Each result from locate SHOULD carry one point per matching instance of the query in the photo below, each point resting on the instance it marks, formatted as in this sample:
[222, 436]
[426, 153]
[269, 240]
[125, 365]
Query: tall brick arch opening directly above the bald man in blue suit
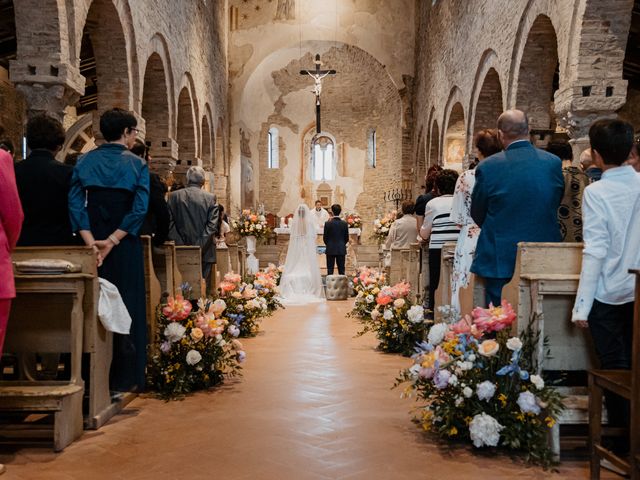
[538, 75]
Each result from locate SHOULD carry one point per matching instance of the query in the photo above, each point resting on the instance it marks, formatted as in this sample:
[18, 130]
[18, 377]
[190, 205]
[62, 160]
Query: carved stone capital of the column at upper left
[47, 86]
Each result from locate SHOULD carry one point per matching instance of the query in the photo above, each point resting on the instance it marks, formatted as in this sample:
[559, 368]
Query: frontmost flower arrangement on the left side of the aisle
[195, 349]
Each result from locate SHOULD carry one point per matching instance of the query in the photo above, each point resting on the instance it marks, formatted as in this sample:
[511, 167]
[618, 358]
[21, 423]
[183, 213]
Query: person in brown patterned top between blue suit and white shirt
[575, 181]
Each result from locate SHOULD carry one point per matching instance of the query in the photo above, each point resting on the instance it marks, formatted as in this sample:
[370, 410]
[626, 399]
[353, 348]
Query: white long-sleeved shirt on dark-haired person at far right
[611, 232]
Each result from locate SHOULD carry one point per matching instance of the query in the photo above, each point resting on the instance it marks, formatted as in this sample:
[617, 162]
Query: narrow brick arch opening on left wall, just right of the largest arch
[156, 111]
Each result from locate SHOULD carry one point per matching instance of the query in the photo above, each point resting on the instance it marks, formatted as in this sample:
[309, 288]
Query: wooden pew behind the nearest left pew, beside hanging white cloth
[97, 342]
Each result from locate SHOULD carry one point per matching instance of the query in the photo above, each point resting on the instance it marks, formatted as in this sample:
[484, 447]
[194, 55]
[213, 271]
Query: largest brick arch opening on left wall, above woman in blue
[109, 43]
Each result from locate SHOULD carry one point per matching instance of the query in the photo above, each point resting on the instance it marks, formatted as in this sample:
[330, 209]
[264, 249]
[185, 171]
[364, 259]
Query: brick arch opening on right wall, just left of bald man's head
[487, 102]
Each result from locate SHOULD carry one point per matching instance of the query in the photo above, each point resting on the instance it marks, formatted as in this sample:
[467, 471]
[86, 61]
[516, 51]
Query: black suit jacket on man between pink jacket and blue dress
[43, 184]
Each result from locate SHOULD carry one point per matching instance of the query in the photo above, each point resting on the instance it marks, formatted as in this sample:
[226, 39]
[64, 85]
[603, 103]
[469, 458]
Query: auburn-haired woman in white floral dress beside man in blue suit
[487, 144]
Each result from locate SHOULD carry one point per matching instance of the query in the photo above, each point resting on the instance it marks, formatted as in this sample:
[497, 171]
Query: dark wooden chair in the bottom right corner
[625, 383]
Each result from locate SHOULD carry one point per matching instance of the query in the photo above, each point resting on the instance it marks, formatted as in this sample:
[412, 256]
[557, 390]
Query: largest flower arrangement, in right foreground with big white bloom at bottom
[478, 385]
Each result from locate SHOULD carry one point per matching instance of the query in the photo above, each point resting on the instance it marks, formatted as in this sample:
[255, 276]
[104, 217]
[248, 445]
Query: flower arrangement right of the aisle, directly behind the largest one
[398, 324]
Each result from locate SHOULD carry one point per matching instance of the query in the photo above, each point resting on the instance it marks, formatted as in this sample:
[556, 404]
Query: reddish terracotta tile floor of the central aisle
[314, 403]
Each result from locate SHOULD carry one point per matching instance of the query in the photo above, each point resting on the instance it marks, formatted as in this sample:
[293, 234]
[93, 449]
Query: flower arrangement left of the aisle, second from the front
[245, 307]
